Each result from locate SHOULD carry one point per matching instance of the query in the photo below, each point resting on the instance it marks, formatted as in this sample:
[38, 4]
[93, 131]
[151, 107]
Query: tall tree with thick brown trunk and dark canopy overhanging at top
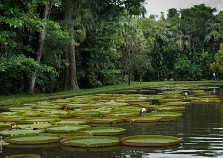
[73, 10]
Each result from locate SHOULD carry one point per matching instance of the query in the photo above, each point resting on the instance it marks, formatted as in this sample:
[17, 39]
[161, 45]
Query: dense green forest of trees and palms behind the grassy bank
[53, 45]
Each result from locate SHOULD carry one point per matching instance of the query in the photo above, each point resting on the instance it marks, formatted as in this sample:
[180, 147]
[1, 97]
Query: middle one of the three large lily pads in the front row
[89, 141]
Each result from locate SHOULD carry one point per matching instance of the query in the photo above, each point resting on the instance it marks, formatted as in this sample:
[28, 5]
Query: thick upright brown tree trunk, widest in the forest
[70, 78]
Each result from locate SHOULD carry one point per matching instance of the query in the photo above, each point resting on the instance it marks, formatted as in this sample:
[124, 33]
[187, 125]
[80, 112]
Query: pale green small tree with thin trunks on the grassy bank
[135, 49]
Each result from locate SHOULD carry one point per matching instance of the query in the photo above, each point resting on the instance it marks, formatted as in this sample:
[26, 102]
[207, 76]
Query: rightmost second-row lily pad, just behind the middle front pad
[99, 131]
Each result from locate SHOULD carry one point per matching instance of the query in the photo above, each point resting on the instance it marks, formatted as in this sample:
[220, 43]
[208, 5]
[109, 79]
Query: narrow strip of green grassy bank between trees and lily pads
[21, 99]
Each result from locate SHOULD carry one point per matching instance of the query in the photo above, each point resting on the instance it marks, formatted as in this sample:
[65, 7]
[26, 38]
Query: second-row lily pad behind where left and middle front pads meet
[65, 128]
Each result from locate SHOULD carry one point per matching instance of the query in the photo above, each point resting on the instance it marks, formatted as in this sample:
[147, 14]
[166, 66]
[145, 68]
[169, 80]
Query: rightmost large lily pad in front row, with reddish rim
[150, 140]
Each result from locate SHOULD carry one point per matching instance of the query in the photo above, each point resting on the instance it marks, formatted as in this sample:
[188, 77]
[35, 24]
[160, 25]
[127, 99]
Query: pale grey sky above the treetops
[157, 6]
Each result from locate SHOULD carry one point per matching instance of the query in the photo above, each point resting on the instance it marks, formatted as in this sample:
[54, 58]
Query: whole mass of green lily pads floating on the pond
[86, 121]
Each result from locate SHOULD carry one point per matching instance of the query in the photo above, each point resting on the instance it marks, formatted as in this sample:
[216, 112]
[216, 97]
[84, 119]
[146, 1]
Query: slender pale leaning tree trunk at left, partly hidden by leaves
[40, 47]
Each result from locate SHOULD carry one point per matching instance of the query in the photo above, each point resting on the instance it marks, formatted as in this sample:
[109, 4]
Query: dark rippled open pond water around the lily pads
[200, 129]
